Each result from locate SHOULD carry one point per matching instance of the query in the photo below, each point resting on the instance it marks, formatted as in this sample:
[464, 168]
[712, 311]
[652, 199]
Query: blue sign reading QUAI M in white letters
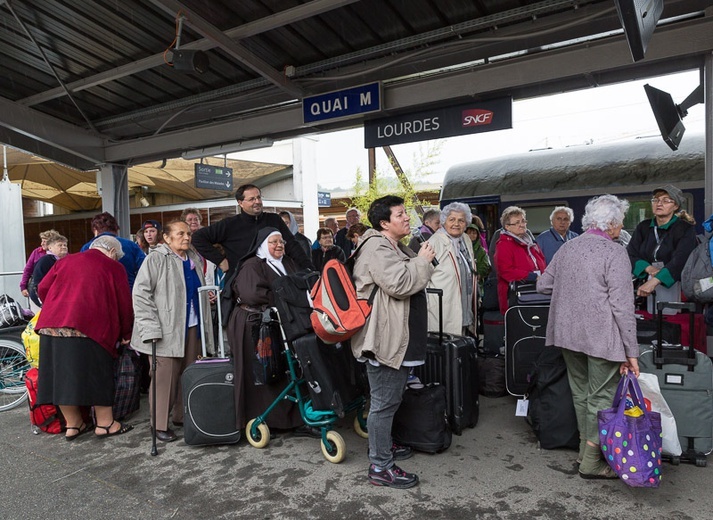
[342, 103]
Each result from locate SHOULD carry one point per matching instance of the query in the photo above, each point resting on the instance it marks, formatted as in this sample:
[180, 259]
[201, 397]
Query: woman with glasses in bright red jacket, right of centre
[517, 255]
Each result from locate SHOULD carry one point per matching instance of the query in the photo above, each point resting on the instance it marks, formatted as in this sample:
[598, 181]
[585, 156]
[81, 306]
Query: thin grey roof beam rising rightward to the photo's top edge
[268, 23]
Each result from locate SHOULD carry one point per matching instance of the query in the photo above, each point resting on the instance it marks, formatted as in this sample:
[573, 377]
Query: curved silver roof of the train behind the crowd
[640, 161]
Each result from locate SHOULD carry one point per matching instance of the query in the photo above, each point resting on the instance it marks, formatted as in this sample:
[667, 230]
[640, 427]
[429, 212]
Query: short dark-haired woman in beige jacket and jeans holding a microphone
[394, 336]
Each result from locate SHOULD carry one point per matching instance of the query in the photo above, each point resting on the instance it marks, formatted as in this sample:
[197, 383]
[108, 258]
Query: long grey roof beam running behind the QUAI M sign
[528, 76]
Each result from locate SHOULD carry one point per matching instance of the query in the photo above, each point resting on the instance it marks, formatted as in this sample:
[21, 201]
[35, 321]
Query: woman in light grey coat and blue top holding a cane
[166, 309]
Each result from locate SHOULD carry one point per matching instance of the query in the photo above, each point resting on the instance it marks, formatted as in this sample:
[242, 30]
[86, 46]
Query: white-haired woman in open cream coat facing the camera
[455, 273]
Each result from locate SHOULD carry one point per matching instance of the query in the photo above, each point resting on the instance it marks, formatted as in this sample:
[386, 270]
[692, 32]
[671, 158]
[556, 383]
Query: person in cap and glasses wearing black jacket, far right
[660, 246]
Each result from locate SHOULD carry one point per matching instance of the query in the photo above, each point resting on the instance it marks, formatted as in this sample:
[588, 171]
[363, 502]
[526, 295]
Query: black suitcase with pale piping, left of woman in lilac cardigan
[525, 328]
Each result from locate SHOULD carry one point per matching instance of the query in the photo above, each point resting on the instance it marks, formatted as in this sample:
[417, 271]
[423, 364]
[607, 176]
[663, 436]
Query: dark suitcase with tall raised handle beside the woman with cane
[209, 395]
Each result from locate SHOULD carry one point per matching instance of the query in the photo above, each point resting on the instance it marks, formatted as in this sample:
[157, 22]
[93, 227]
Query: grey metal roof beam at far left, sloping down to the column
[25, 121]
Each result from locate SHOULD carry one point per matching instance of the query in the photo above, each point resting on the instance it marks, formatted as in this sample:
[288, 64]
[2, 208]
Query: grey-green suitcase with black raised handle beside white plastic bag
[686, 380]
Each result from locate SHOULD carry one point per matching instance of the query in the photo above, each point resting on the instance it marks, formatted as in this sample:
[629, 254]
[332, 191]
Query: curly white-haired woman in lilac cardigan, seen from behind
[592, 319]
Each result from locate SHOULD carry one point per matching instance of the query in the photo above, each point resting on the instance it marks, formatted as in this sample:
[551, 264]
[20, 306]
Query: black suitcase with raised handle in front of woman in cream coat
[452, 361]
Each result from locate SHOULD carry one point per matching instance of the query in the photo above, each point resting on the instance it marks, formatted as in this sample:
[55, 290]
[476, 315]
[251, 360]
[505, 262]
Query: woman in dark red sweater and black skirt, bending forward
[87, 310]
